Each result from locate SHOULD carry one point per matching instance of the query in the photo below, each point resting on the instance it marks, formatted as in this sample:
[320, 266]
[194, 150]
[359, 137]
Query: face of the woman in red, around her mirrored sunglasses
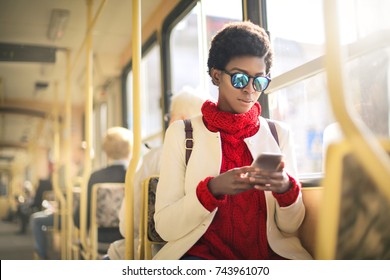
[238, 101]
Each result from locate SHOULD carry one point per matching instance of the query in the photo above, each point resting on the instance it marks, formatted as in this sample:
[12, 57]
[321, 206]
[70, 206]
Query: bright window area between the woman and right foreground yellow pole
[303, 104]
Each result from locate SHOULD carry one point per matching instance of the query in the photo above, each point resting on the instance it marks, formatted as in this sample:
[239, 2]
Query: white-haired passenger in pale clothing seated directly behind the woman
[185, 104]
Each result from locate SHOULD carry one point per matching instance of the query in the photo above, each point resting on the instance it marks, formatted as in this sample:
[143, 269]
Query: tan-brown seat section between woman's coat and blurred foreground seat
[307, 233]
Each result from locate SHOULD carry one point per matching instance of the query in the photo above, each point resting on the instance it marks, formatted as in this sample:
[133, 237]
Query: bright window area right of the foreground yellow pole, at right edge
[367, 28]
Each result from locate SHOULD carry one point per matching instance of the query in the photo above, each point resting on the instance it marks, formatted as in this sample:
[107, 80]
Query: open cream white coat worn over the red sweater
[181, 219]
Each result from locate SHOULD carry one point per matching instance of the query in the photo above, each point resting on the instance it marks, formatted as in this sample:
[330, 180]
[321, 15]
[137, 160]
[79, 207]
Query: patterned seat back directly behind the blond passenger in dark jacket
[106, 201]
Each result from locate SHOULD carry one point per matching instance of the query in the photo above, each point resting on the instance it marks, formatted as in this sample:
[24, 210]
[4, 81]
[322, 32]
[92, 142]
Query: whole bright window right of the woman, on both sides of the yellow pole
[300, 95]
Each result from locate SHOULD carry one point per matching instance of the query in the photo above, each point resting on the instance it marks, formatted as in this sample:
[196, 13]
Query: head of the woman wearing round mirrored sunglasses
[239, 62]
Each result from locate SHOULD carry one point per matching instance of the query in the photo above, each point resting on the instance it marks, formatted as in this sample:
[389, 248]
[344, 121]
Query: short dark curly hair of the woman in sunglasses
[239, 39]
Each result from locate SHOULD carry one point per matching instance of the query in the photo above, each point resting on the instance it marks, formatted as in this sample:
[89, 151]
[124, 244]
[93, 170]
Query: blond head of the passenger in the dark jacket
[118, 143]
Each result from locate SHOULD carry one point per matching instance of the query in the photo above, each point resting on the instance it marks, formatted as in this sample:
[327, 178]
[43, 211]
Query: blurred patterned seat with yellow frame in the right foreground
[354, 222]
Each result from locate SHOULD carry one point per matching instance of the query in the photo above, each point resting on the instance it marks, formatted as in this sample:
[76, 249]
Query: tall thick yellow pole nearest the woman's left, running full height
[129, 181]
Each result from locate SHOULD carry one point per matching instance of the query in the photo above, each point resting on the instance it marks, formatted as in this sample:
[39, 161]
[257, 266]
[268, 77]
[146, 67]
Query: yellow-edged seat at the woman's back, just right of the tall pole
[150, 240]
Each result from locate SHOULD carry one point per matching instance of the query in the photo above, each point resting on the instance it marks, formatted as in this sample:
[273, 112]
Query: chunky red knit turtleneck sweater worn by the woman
[238, 230]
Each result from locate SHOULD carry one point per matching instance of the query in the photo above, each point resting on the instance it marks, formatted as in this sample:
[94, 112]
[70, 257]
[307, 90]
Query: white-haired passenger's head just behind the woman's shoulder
[186, 104]
